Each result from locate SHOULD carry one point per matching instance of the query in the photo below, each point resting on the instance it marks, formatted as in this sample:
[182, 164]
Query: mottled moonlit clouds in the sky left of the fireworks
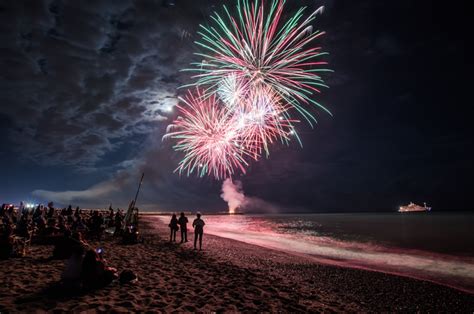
[78, 76]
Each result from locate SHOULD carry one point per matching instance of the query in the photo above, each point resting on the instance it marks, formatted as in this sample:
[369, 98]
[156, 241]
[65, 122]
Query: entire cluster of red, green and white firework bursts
[256, 71]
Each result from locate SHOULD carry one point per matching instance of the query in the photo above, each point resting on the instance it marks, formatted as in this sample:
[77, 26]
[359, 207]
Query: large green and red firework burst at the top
[258, 47]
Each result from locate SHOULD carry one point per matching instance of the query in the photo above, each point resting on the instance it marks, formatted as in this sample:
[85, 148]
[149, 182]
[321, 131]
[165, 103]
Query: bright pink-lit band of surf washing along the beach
[453, 271]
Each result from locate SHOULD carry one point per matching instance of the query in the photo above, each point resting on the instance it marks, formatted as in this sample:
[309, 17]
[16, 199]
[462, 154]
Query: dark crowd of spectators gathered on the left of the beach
[68, 230]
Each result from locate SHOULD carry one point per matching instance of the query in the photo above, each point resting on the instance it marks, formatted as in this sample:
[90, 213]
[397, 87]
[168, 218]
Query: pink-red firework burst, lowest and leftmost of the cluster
[206, 133]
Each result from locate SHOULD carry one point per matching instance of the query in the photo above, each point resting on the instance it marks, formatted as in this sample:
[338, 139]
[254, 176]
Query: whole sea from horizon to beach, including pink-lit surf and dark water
[433, 246]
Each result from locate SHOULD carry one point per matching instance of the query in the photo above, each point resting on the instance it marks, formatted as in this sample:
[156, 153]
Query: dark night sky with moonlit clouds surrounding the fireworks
[86, 89]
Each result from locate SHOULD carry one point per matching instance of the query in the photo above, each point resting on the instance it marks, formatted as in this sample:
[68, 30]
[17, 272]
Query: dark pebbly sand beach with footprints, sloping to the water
[227, 276]
